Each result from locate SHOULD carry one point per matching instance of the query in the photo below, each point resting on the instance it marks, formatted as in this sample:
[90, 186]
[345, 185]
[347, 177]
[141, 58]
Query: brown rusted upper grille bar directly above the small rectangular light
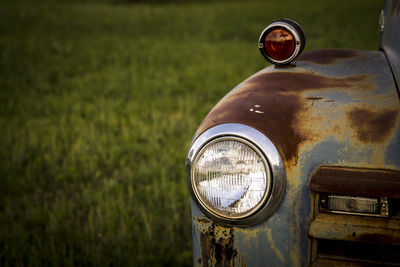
[356, 182]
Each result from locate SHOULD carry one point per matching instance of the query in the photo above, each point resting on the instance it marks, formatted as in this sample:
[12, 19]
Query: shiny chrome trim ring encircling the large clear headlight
[267, 150]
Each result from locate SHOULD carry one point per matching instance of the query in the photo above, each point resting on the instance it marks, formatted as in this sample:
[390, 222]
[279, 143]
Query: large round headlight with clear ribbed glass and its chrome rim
[235, 174]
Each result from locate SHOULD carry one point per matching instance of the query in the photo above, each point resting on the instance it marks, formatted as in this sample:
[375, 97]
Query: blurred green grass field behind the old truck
[98, 103]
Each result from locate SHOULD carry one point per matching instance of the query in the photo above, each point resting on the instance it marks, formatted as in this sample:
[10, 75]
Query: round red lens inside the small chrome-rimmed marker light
[279, 44]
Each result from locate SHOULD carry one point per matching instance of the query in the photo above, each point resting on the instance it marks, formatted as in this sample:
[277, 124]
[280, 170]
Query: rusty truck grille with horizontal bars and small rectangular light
[349, 234]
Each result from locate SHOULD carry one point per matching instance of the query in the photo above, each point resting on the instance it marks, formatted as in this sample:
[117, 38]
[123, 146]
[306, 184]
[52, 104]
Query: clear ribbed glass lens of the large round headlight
[231, 177]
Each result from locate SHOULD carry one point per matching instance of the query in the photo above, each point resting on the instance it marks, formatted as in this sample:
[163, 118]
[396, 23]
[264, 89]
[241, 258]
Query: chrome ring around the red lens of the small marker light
[298, 35]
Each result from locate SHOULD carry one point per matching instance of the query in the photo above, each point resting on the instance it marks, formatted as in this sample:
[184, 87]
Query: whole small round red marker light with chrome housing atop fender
[281, 42]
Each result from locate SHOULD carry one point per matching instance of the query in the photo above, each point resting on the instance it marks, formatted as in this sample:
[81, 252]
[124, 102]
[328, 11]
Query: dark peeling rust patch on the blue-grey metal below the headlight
[217, 250]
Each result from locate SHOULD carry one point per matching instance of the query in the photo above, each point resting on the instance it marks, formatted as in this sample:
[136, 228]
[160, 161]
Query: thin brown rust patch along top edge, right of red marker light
[327, 56]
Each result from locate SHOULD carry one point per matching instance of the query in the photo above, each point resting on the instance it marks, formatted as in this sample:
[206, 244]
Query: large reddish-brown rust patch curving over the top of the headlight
[278, 96]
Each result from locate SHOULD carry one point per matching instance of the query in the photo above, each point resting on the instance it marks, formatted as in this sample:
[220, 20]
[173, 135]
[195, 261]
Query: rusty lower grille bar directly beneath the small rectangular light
[354, 228]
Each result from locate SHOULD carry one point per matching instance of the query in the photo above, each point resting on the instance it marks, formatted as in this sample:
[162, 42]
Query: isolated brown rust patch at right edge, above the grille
[372, 127]
